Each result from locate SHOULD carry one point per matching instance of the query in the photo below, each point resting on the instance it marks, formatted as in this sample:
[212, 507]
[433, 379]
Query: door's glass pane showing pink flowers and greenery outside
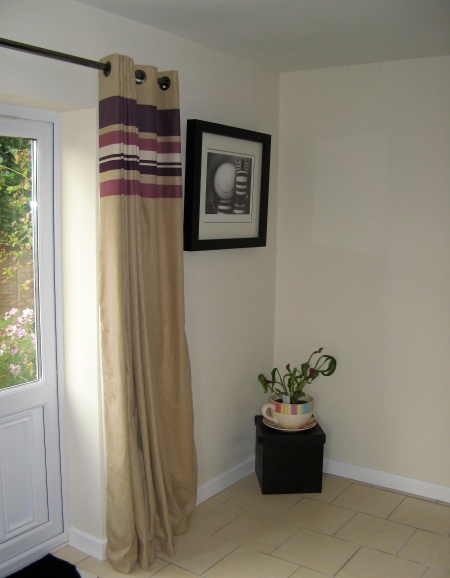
[19, 360]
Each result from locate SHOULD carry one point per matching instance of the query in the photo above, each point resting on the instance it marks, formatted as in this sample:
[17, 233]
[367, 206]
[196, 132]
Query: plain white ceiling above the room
[288, 35]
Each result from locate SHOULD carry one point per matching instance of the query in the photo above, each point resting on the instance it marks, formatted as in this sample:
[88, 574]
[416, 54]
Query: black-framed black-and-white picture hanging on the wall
[226, 187]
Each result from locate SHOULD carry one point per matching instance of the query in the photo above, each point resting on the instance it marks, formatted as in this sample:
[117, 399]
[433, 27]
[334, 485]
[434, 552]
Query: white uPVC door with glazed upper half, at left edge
[31, 502]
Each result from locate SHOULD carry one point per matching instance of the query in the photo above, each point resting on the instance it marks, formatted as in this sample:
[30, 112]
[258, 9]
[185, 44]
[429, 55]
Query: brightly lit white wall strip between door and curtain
[81, 337]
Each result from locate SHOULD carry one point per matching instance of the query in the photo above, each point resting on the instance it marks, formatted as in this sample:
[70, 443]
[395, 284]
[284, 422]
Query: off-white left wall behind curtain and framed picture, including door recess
[230, 295]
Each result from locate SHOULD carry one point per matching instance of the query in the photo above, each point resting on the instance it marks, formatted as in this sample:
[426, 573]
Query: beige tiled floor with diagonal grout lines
[350, 530]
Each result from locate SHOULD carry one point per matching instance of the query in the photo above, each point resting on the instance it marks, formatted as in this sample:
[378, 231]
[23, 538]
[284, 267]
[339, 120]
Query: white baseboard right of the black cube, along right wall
[387, 480]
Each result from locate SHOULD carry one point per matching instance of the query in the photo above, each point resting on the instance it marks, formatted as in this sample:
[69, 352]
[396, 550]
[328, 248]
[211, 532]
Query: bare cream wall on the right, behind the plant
[363, 263]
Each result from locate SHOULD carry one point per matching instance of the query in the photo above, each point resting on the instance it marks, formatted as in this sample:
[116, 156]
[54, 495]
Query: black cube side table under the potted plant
[289, 462]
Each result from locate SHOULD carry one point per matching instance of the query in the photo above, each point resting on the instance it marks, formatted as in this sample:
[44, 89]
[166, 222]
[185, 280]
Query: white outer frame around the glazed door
[45, 547]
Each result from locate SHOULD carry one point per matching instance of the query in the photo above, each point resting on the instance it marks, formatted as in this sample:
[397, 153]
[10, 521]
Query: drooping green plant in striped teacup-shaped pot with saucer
[290, 407]
